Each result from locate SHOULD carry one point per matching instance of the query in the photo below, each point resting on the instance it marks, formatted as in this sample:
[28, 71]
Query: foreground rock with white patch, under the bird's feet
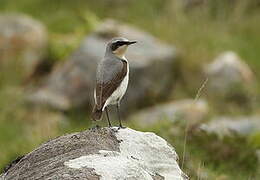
[100, 154]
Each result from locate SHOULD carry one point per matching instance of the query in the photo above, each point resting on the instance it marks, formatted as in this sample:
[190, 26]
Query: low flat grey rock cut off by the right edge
[232, 126]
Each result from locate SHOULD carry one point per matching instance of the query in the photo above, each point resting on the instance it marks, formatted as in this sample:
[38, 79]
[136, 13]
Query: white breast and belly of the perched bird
[118, 94]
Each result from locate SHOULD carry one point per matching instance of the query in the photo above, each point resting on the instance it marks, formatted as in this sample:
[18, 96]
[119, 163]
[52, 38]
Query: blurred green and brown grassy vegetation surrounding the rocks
[199, 29]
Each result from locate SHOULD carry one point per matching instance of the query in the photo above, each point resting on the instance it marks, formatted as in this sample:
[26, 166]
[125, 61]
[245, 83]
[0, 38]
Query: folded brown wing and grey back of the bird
[110, 77]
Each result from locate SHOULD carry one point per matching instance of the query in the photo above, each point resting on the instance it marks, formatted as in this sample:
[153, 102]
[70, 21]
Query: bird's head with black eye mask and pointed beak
[118, 46]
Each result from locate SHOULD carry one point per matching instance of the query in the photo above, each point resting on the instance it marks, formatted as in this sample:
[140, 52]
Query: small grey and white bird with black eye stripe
[112, 77]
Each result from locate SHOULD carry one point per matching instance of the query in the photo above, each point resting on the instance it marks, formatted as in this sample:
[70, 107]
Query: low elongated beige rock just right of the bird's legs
[186, 109]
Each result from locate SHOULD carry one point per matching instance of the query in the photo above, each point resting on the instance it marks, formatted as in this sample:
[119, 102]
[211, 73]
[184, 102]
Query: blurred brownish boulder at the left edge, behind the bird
[22, 39]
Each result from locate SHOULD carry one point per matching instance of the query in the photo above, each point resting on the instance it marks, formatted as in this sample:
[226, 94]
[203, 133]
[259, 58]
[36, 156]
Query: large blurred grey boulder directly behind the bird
[151, 70]
